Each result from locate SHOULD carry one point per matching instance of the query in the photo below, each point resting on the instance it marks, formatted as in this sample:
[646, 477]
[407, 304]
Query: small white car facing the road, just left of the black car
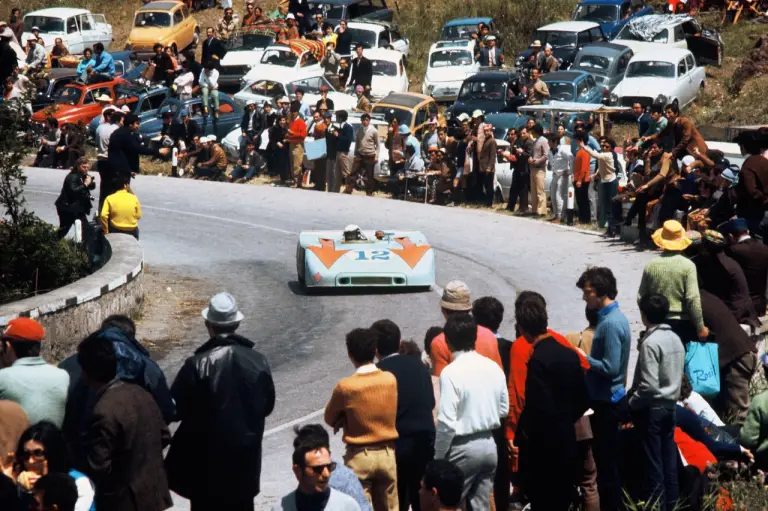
[448, 65]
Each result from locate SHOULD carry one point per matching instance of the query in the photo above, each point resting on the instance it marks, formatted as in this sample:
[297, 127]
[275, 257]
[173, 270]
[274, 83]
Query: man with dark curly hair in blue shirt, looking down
[608, 362]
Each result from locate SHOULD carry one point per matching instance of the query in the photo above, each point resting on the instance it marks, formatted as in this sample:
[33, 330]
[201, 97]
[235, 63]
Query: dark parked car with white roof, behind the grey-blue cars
[567, 38]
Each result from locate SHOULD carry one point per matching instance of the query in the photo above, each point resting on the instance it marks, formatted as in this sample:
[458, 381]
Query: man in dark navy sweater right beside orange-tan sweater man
[415, 445]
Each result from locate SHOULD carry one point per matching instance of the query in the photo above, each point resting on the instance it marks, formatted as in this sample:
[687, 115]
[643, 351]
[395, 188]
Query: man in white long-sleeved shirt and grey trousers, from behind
[473, 398]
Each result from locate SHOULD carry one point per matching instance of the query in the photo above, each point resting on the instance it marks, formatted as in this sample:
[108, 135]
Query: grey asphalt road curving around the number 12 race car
[243, 239]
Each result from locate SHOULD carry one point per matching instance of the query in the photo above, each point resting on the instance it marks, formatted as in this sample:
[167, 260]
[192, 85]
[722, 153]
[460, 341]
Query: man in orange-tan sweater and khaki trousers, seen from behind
[364, 406]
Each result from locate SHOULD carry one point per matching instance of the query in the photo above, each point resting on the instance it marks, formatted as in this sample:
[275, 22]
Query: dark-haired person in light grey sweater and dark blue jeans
[652, 399]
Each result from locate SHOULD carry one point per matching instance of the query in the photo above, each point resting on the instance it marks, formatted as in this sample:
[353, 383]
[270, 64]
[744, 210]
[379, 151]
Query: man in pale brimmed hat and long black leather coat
[223, 394]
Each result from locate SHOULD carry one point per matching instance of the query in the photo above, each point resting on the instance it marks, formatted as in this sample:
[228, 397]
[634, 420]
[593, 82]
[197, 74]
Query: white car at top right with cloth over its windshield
[659, 31]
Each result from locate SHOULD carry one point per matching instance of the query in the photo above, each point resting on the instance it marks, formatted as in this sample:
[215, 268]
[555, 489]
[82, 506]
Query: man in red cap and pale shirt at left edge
[25, 378]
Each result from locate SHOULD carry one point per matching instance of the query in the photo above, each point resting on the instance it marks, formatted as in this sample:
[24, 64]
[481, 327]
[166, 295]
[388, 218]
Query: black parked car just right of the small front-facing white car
[489, 92]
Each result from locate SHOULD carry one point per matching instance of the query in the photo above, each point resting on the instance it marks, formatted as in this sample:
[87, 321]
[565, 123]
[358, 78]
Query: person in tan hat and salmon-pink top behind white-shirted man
[456, 300]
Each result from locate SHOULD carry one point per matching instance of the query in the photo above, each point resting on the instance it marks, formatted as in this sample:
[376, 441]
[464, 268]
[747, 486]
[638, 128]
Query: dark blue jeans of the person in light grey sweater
[656, 428]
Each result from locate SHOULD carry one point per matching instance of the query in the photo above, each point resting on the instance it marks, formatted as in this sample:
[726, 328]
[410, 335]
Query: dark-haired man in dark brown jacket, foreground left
[124, 441]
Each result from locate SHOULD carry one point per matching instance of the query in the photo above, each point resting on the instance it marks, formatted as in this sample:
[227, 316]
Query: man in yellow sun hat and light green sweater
[673, 276]
